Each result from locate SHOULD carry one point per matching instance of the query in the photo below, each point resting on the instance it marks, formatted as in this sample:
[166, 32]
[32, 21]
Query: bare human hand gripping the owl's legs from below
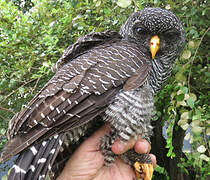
[87, 162]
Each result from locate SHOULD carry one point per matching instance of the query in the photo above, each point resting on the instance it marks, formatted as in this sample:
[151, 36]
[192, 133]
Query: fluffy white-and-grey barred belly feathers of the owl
[130, 113]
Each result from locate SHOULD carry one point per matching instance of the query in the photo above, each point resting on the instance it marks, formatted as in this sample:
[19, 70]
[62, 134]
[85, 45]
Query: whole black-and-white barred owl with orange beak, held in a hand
[103, 77]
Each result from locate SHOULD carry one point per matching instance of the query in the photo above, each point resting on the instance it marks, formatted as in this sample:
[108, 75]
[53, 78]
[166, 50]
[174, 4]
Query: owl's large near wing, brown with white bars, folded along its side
[77, 93]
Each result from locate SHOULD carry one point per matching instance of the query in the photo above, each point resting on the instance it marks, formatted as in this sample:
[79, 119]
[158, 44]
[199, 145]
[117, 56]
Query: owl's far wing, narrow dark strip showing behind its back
[83, 44]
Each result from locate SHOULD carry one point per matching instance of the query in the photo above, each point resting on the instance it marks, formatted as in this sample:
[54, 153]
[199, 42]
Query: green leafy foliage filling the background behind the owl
[34, 35]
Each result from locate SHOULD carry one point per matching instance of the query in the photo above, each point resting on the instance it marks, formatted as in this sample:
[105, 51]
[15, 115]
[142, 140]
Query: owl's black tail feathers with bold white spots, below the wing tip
[35, 162]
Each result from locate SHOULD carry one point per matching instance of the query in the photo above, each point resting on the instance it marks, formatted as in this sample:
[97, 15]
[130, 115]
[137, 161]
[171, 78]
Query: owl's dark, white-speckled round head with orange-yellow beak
[158, 32]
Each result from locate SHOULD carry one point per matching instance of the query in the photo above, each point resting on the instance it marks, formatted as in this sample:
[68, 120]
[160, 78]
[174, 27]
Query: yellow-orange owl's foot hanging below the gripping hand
[143, 169]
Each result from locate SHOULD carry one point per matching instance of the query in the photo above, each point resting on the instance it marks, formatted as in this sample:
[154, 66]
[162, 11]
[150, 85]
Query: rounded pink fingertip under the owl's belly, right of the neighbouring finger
[142, 146]
